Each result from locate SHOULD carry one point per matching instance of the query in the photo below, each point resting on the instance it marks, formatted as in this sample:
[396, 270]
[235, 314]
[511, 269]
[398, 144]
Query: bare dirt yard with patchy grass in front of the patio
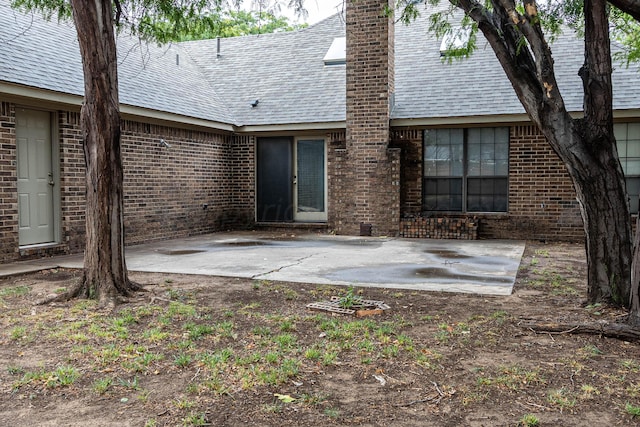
[197, 350]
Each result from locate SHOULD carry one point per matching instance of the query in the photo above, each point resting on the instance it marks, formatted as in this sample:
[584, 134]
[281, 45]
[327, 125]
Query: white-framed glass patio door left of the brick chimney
[310, 180]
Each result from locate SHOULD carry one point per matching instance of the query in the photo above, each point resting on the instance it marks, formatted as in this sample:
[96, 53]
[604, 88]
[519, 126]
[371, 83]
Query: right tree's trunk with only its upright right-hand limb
[605, 208]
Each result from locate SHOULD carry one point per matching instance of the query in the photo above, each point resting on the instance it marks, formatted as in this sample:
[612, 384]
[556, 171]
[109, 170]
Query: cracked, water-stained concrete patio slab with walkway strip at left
[482, 266]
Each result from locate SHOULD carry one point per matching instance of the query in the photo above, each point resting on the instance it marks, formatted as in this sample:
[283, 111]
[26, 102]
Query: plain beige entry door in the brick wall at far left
[35, 177]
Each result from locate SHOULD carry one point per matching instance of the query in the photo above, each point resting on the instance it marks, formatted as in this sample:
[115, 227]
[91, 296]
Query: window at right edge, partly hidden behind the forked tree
[628, 143]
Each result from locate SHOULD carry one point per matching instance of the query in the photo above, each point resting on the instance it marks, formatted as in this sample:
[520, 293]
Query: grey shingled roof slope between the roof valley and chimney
[284, 71]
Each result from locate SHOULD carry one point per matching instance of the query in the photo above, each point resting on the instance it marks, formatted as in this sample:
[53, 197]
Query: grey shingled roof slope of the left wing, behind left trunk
[45, 55]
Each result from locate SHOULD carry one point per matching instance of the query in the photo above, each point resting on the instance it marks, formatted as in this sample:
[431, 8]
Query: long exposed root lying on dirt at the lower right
[606, 329]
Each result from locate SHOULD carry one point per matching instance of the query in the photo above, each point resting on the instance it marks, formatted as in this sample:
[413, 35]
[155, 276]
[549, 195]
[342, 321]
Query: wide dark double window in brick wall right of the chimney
[466, 170]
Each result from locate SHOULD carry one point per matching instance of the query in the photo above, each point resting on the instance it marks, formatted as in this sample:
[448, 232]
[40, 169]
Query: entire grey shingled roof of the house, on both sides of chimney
[285, 72]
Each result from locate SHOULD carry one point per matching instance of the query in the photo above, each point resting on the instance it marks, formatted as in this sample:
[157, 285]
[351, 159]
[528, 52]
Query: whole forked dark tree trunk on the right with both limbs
[587, 146]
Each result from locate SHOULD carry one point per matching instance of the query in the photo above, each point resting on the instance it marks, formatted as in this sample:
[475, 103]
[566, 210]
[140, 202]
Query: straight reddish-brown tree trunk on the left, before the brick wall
[105, 273]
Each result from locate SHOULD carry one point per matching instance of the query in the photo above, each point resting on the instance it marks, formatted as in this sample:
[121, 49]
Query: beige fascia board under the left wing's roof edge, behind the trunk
[51, 99]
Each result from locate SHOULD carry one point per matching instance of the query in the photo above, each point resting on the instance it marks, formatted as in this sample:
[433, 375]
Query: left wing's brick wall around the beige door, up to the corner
[203, 183]
